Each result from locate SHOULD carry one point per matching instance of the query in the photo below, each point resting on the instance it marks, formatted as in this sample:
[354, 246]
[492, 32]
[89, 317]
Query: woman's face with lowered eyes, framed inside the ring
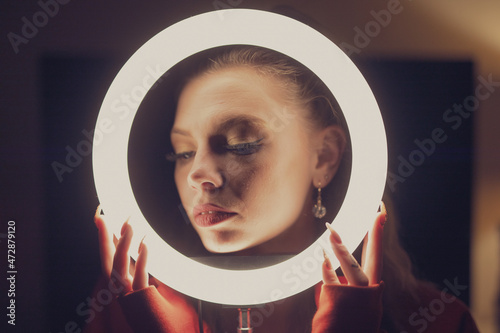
[244, 162]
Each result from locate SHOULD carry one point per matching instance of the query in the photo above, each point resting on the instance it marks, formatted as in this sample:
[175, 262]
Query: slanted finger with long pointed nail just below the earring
[350, 267]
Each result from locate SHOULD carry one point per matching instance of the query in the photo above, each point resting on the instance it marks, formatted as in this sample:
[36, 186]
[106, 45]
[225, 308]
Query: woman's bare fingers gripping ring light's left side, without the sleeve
[115, 261]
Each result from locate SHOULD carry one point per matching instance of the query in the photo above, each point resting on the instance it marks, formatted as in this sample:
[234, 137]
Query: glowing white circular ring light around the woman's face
[285, 35]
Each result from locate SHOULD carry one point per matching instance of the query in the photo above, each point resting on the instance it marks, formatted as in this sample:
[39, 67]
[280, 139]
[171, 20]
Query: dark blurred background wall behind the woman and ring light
[422, 59]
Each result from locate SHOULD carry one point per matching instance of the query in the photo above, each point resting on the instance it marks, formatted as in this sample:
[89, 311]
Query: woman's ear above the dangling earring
[330, 146]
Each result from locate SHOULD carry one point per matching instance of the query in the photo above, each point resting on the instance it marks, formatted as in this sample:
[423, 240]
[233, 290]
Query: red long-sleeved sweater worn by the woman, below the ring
[340, 309]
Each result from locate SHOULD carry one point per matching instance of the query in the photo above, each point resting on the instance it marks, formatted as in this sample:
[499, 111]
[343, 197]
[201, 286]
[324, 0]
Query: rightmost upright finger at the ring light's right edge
[372, 261]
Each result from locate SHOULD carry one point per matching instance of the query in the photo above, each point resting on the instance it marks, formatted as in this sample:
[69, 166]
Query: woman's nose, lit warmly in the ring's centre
[206, 173]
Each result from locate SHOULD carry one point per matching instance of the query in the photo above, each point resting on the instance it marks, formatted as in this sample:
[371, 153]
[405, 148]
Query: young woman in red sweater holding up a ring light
[260, 152]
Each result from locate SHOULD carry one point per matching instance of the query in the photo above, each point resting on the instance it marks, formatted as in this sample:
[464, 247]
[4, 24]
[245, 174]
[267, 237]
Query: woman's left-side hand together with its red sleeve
[143, 308]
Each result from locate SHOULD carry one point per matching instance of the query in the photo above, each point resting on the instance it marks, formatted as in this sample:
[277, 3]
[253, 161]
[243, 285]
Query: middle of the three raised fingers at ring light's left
[121, 259]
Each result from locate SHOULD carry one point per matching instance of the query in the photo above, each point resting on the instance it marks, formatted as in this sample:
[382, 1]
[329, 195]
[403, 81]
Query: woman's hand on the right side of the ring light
[370, 271]
